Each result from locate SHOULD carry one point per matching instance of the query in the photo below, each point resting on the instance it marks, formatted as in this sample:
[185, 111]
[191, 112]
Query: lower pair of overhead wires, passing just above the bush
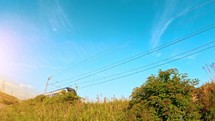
[136, 72]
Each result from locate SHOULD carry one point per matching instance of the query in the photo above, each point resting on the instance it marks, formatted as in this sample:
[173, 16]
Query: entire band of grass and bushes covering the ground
[167, 96]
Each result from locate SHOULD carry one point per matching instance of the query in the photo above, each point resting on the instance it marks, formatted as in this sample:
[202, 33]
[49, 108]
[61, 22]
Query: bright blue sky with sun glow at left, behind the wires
[43, 38]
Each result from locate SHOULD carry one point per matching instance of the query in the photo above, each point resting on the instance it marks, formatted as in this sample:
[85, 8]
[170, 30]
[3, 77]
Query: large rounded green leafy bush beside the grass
[168, 96]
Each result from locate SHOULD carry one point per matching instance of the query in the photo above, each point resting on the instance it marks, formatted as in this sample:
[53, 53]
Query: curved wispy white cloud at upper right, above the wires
[170, 13]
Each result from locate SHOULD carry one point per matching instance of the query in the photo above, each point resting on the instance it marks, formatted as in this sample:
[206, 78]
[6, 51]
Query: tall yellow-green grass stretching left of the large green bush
[31, 110]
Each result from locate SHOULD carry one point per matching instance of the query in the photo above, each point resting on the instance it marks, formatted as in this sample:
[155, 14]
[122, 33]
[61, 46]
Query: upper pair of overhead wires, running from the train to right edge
[140, 55]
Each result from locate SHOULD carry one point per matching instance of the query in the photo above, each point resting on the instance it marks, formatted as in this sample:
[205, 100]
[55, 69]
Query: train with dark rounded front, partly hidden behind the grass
[56, 92]
